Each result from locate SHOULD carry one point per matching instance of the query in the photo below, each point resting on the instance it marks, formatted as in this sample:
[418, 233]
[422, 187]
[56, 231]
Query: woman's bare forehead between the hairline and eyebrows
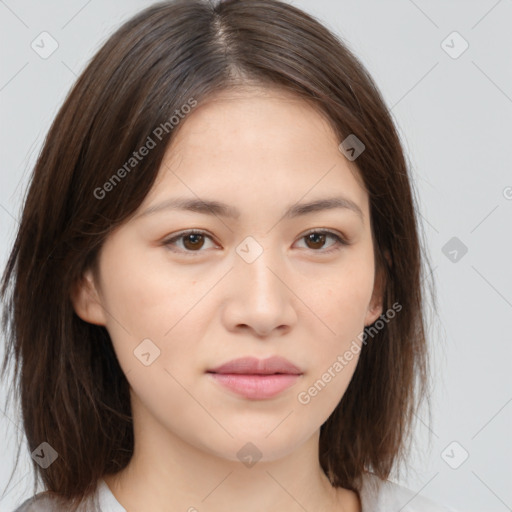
[267, 144]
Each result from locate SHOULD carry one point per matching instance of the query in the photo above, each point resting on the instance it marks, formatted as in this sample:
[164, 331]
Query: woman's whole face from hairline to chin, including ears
[261, 276]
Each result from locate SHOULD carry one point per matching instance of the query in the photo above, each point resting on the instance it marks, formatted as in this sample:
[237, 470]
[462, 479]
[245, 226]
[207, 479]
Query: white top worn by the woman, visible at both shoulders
[376, 496]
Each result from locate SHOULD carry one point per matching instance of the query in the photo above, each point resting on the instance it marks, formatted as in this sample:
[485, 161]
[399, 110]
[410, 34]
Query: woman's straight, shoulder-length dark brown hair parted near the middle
[73, 392]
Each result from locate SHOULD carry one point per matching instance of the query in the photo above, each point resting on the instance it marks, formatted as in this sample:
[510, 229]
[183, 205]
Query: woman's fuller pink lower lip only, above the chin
[256, 387]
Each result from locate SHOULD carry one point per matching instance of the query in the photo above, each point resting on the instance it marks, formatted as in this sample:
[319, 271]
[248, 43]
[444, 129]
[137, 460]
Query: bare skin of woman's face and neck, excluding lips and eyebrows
[259, 150]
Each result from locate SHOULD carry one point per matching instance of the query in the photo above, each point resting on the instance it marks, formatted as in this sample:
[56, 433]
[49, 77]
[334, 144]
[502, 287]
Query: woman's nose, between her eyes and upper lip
[260, 296]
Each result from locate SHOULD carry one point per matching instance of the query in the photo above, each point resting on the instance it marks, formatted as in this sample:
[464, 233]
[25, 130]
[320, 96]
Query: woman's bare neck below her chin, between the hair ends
[166, 473]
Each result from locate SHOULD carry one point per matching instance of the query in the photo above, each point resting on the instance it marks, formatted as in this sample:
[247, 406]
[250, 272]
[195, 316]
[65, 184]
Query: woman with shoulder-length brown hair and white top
[214, 299]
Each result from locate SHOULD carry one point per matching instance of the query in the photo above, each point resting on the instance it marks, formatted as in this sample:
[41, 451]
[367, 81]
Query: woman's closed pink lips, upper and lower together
[257, 379]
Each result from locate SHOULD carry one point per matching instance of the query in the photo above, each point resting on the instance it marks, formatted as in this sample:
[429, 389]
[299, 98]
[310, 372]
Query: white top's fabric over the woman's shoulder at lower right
[386, 496]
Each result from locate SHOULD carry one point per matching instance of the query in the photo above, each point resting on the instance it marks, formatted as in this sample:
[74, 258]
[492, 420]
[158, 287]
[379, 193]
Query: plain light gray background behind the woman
[454, 116]
